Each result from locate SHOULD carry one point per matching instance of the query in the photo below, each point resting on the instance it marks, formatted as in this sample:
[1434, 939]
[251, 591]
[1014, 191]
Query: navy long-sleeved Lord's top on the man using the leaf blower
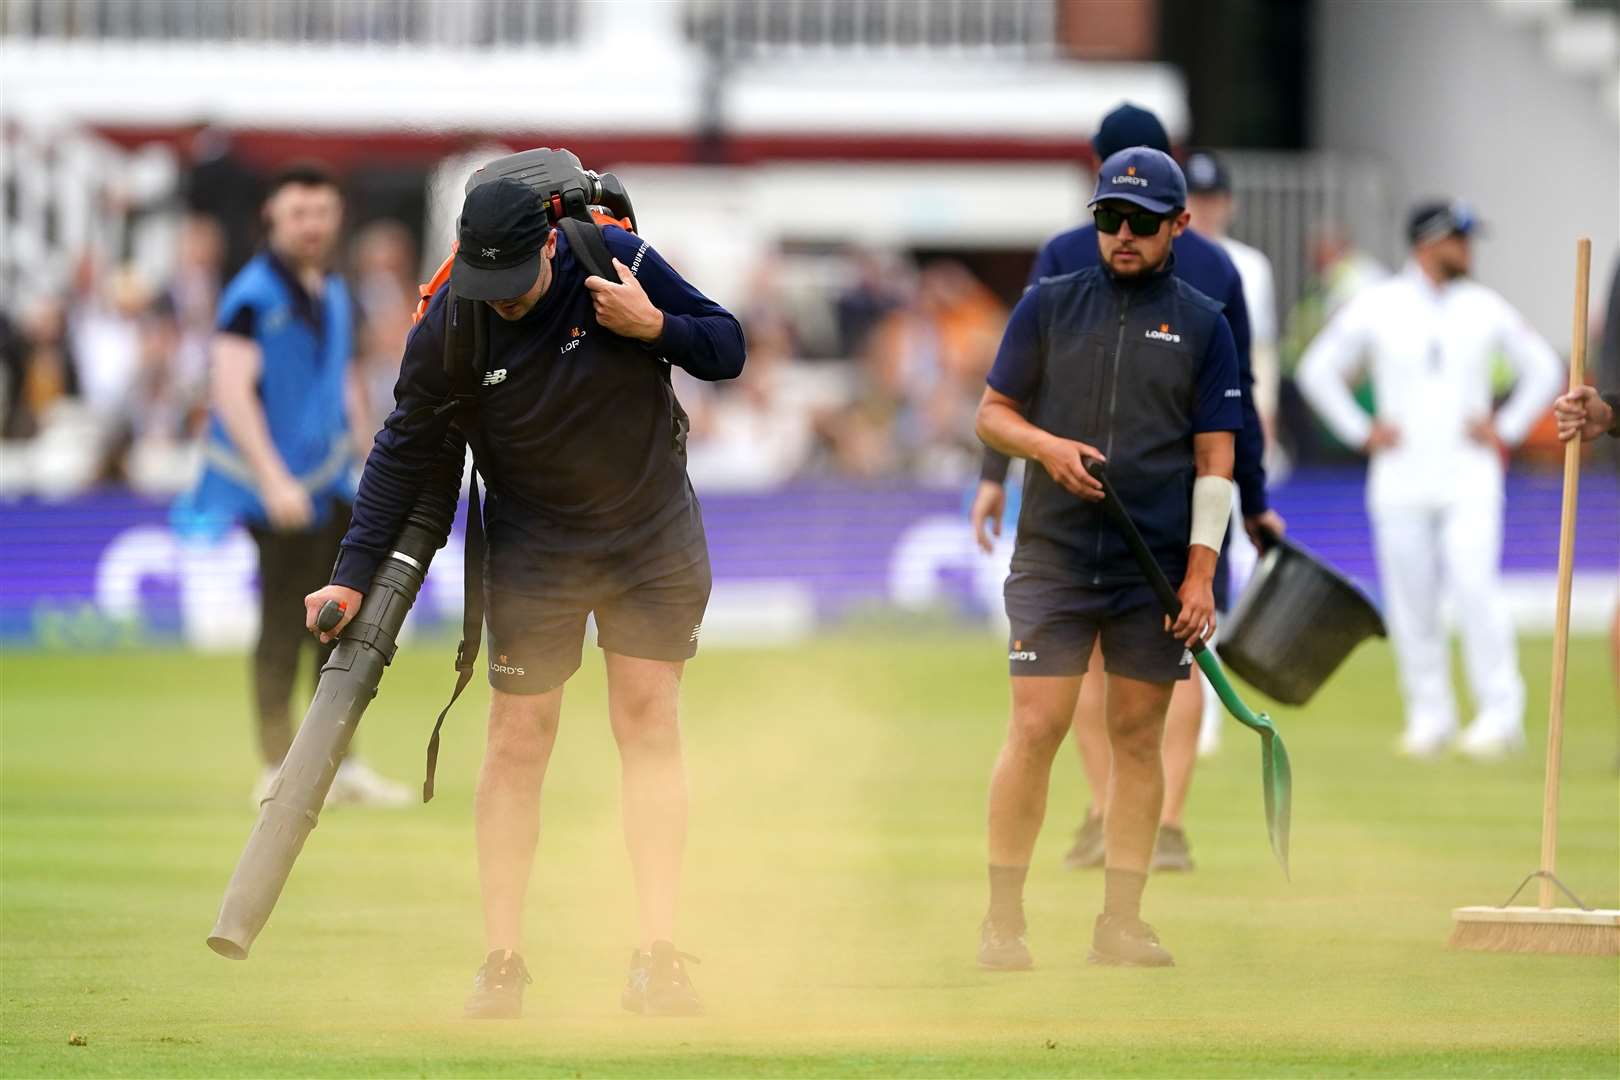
[584, 436]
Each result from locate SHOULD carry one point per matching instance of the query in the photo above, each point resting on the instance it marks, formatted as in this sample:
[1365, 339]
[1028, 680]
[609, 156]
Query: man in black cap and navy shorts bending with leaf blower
[582, 446]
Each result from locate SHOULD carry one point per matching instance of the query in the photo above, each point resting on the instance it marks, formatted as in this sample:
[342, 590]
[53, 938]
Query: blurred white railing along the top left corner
[420, 23]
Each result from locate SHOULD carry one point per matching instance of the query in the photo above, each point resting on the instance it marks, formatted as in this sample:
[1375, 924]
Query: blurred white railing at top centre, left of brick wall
[769, 28]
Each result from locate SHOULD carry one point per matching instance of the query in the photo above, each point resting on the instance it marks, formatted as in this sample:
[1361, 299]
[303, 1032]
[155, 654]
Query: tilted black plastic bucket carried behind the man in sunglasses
[1295, 624]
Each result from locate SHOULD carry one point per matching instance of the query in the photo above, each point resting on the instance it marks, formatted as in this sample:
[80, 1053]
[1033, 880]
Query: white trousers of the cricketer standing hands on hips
[1428, 556]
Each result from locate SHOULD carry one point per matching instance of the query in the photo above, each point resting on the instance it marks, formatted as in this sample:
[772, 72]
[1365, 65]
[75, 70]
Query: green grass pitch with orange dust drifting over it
[835, 883]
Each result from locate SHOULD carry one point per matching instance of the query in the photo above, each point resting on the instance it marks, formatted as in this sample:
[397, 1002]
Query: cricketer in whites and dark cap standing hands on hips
[1435, 485]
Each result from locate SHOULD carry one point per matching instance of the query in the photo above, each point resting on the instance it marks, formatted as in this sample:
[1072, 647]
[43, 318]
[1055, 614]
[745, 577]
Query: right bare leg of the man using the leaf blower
[642, 700]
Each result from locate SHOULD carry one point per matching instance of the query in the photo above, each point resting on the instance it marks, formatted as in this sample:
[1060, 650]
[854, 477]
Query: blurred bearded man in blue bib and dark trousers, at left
[279, 449]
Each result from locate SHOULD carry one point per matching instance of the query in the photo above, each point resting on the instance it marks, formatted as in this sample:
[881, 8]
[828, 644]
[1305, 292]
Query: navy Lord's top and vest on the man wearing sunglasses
[1136, 368]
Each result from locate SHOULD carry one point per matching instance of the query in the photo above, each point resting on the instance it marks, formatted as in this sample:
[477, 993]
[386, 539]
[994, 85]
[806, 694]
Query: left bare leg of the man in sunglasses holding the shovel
[1042, 712]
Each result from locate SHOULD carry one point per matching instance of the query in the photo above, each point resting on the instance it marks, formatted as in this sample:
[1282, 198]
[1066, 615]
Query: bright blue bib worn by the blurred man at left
[307, 344]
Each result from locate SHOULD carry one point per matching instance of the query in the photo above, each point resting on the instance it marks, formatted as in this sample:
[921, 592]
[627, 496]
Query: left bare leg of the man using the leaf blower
[522, 733]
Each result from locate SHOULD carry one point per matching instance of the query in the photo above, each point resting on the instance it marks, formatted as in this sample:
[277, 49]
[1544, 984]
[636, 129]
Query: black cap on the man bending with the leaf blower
[501, 234]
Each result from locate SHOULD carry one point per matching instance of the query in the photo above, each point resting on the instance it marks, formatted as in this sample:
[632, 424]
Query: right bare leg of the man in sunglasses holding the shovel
[1136, 793]
